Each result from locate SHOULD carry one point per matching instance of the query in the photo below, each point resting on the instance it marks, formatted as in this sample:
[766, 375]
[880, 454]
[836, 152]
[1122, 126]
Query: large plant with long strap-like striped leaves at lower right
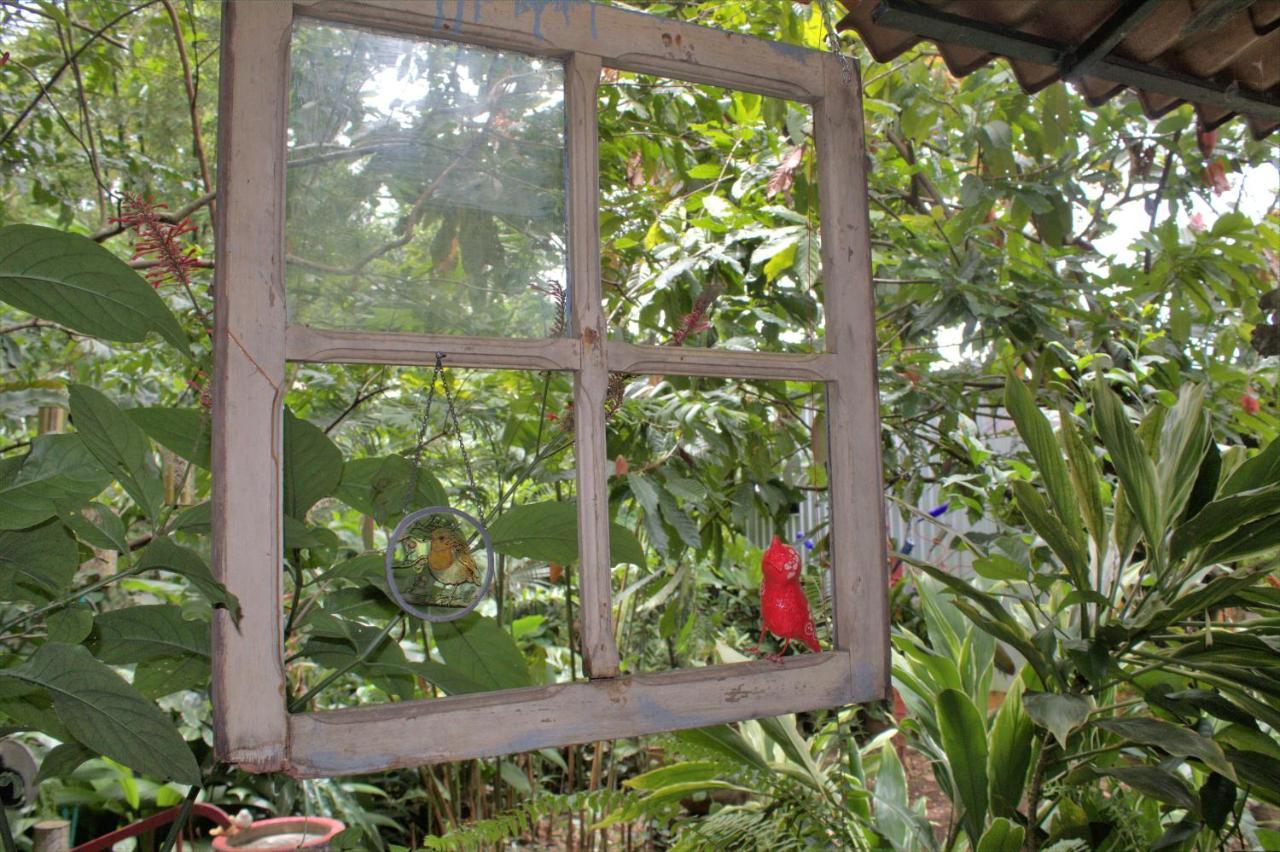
[1144, 613]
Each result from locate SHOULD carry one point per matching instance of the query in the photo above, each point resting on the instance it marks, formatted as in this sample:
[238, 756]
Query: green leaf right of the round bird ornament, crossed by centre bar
[548, 533]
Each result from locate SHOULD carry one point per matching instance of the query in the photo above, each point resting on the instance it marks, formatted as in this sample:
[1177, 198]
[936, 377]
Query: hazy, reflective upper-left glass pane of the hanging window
[426, 187]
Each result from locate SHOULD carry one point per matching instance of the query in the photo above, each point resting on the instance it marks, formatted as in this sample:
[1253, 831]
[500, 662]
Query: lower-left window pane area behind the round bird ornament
[513, 469]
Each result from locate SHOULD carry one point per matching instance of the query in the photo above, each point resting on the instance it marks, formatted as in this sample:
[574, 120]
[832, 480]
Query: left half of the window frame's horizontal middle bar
[304, 343]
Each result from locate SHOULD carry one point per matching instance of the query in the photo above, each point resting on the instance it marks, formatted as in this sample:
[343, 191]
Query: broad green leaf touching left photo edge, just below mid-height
[60, 468]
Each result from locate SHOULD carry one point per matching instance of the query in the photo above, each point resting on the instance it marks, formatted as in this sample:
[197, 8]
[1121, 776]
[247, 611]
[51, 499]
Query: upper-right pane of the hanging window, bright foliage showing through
[708, 217]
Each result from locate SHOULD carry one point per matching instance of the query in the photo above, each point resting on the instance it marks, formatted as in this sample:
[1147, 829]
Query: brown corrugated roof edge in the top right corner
[1222, 56]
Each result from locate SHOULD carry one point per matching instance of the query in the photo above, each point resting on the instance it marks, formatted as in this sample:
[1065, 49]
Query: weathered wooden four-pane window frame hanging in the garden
[253, 342]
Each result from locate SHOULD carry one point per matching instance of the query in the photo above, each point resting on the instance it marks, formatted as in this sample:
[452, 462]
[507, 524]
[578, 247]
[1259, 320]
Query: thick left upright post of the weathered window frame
[250, 725]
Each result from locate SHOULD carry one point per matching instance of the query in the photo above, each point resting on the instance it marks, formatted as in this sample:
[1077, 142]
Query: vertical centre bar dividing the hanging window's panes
[591, 383]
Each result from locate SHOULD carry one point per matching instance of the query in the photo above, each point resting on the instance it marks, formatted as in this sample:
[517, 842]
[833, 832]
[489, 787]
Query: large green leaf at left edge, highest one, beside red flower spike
[72, 281]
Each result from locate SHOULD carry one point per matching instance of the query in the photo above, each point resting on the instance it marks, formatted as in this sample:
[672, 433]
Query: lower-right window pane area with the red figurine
[707, 473]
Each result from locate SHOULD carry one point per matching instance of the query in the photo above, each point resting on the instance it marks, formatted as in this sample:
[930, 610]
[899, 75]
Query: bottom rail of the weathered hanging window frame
[364, 740]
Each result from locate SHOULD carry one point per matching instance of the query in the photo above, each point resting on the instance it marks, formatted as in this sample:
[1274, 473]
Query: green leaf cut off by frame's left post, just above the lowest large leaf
[144, 634]
